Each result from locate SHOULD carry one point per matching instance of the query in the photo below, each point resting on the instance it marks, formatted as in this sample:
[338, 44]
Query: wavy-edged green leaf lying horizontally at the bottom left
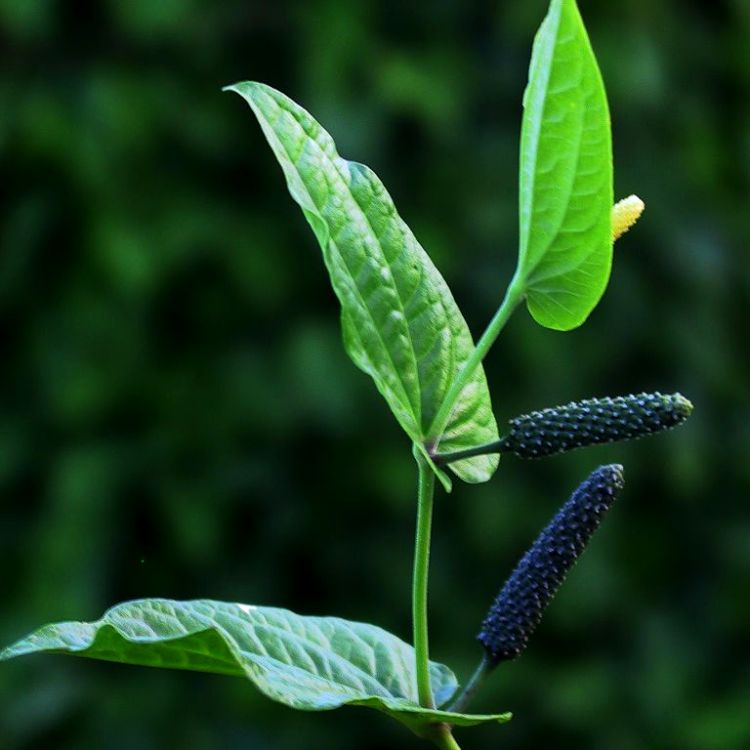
[308, 663]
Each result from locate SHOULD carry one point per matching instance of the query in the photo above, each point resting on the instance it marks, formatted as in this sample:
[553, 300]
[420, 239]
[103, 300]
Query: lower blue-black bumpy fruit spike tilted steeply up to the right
[519, 606]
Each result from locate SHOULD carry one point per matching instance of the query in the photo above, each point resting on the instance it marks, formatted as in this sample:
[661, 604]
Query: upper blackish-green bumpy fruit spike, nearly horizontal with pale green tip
[593, 421]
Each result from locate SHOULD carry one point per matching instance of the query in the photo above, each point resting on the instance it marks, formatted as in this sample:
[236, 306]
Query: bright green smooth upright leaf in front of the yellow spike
[566, 195]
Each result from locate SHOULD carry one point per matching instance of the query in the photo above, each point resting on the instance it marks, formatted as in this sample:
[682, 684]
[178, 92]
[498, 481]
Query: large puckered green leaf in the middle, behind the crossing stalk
[400, 322]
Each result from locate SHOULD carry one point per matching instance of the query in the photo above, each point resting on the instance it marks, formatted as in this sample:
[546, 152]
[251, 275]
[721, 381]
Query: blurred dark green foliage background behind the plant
[178, 417]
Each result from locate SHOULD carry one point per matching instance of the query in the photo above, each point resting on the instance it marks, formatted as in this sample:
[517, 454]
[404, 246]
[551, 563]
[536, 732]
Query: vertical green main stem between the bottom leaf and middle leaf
[420, 580]
